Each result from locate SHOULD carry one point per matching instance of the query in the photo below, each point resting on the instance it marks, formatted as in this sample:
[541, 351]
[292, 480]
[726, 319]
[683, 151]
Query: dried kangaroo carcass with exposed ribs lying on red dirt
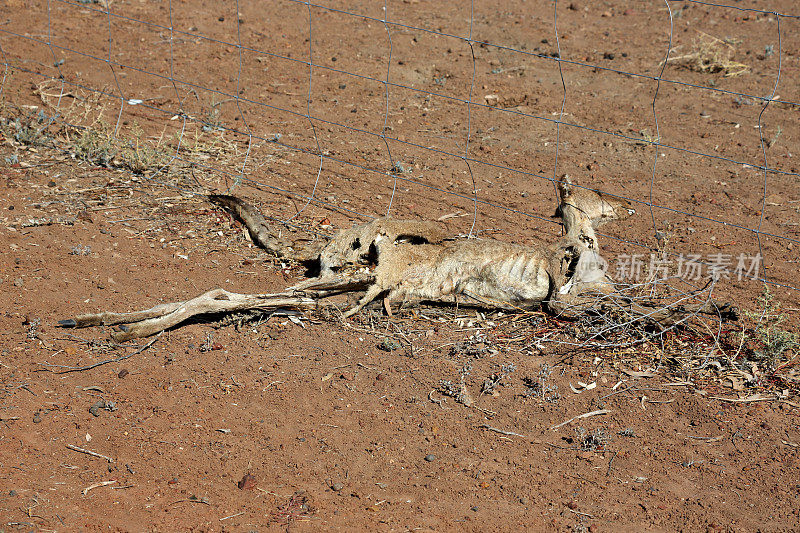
[406, 262]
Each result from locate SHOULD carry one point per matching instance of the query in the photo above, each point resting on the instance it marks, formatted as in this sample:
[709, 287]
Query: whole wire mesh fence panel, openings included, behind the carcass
[466, 112]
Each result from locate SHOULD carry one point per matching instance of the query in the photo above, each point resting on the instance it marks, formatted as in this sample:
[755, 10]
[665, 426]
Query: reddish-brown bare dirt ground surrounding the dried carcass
[317, 423]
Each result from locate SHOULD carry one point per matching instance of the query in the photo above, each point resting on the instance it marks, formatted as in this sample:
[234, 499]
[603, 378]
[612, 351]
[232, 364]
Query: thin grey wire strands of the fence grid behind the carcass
[14, 39]
